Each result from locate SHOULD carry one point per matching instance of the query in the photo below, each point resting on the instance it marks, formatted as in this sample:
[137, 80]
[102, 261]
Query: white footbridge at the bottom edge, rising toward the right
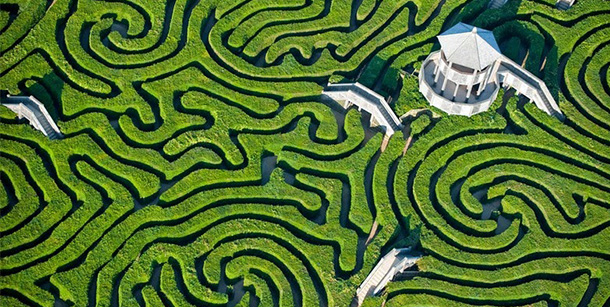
[392, 264]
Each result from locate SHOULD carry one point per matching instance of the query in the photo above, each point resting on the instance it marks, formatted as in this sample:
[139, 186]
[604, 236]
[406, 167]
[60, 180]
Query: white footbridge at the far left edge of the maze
[34, 111]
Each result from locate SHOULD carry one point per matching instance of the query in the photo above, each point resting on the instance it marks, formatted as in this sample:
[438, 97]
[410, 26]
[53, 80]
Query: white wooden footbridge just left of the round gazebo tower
[382, 115]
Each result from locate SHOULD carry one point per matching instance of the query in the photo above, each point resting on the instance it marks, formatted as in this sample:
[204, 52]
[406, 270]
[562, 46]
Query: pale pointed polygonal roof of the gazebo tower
[469, 46]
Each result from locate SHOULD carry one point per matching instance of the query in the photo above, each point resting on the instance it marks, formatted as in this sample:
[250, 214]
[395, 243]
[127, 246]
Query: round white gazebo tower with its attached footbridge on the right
[464, 77]
